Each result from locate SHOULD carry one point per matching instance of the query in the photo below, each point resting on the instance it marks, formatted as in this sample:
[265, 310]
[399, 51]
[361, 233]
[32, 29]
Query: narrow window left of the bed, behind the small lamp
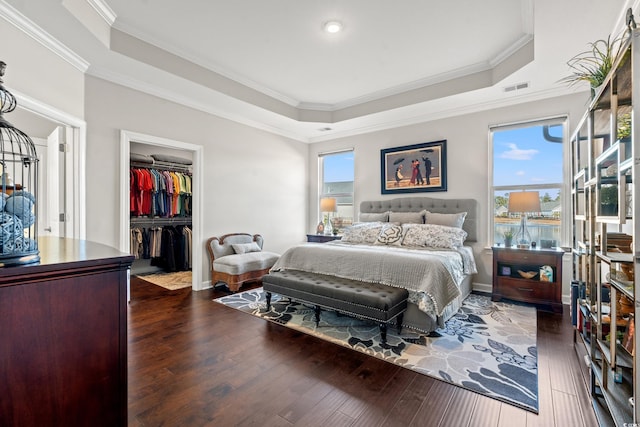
[336, 181]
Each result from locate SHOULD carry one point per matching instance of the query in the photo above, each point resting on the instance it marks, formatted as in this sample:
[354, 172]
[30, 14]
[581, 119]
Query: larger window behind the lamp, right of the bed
[529, 157]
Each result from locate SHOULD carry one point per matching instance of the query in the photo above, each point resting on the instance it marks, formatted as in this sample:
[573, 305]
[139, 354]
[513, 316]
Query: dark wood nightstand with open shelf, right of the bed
[528, 275]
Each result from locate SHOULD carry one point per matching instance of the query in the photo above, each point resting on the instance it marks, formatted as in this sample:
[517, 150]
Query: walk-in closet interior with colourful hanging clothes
[161, 209]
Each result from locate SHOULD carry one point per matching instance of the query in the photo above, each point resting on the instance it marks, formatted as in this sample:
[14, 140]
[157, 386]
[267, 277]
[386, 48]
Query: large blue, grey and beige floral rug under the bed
[487, 347]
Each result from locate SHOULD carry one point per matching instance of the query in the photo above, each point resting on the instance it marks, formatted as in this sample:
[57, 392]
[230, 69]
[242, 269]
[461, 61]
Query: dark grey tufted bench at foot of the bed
[371, 301]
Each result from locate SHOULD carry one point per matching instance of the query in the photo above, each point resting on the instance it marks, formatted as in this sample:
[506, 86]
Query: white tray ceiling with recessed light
[269, 64]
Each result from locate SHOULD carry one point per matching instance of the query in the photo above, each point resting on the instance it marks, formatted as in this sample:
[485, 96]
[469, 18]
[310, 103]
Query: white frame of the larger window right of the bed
[564, 185]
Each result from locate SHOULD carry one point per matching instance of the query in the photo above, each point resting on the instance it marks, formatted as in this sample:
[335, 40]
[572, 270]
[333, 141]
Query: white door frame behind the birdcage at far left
[75, 192]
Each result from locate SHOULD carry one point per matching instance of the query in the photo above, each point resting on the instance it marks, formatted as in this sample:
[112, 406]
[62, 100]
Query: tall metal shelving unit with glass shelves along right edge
[606, 238]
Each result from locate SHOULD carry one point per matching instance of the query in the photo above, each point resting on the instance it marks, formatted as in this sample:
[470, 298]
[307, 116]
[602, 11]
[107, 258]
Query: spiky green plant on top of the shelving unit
[593, 65]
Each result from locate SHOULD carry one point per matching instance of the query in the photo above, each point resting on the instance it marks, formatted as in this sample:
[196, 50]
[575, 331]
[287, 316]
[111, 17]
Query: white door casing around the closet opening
[149, 143]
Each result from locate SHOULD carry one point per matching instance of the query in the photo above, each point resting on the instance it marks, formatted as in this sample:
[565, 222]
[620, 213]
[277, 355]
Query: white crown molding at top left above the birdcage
[28, 27]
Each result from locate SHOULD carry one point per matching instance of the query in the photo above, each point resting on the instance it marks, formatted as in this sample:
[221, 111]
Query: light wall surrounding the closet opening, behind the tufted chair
[255, 182]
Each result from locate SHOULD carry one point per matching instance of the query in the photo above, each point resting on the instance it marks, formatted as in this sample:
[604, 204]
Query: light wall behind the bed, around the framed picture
[467, 157]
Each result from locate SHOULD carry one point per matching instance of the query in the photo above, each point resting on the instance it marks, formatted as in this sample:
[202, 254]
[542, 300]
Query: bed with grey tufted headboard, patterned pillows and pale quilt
[388, 245]
